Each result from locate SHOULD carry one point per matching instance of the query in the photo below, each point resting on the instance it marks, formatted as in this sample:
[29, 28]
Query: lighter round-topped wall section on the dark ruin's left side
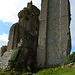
[13, 36]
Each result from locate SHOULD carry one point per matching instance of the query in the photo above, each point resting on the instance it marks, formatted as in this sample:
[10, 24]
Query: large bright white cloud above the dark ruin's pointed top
[10, 8]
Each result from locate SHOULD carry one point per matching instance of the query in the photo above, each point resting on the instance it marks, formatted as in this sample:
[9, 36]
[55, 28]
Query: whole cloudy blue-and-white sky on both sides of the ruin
[8, 15]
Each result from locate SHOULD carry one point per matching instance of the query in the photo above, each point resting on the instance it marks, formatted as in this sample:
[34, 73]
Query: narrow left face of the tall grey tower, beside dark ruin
[41, 51]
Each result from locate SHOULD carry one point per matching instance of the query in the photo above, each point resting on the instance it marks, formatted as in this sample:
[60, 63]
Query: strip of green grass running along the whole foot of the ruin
[51, 71]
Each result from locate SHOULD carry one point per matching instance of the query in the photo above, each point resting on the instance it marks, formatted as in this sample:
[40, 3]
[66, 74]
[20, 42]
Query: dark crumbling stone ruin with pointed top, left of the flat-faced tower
[24, 34]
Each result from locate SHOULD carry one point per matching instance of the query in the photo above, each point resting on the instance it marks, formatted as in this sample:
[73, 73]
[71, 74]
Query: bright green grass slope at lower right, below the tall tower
[57, 71]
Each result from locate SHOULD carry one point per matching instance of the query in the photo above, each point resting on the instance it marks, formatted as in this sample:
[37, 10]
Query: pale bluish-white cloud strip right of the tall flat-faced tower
[72, 25]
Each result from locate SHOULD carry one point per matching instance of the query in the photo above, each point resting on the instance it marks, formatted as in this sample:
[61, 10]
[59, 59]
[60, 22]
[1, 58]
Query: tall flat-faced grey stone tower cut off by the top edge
[54, 33]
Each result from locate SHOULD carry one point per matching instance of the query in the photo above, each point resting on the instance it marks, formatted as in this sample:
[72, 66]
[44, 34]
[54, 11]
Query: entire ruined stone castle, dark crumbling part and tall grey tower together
[39, 41]
